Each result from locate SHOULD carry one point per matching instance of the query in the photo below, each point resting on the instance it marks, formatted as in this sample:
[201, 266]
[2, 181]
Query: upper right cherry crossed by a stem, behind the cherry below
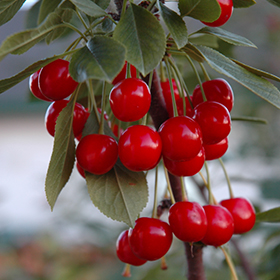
[218, 90]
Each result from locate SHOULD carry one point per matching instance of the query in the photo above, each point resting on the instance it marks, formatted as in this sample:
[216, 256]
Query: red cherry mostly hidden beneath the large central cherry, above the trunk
[186, 168]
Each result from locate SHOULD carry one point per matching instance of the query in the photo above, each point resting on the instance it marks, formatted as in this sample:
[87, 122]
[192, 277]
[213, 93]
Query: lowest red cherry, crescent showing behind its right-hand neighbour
[124, 251]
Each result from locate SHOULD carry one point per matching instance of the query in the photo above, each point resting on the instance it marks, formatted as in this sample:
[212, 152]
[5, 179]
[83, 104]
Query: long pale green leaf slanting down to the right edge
[227, 67]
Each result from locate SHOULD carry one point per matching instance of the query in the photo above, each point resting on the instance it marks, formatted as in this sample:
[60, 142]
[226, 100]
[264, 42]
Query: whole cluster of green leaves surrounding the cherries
[139, 38]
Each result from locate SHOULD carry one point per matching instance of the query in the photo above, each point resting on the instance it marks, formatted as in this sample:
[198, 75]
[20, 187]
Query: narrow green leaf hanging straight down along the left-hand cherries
[63, 154]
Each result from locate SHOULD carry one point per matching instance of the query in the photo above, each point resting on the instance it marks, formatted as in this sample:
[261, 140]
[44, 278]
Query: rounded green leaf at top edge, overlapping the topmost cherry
[203, 10]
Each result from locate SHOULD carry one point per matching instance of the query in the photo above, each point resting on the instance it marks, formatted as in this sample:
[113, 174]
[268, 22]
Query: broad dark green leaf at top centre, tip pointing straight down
[143, 36]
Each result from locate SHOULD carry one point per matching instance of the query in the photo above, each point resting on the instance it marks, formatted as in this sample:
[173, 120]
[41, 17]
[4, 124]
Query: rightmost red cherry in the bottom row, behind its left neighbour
[243, 213]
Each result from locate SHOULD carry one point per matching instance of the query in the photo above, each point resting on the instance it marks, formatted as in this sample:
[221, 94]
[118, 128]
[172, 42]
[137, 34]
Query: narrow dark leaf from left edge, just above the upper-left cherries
[8, 83]
